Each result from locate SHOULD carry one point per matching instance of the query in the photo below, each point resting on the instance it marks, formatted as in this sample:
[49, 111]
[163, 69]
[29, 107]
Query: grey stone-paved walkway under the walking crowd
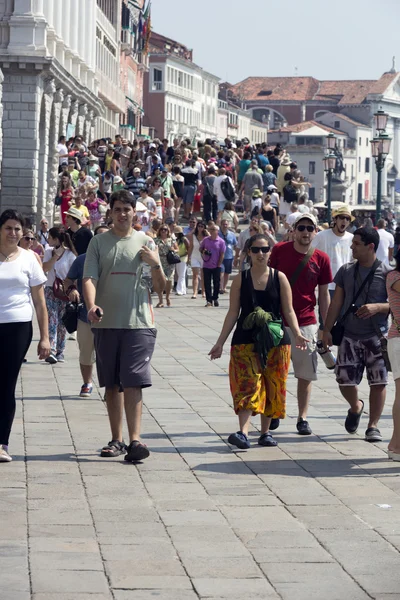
[317, 517]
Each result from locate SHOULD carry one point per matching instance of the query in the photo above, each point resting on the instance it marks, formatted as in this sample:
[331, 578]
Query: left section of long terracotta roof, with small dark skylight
[277, 88]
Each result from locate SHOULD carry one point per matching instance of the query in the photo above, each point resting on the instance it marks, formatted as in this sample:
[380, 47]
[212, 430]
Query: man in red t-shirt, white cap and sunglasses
[286, 257]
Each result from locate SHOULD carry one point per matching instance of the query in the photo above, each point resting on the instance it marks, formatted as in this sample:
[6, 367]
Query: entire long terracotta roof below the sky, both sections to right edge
[308, 88]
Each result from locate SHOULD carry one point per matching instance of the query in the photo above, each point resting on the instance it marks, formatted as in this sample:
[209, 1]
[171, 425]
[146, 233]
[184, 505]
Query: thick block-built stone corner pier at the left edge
[21, 142]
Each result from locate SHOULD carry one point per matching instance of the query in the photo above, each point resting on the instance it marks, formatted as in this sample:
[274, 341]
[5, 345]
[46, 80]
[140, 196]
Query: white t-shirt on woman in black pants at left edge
[16, 279]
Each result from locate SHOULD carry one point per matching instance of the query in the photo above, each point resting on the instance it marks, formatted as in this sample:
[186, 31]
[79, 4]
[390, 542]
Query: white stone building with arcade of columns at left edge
[49, 89]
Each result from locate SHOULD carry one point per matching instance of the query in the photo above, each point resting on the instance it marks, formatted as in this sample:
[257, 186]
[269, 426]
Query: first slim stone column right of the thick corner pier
[49, 89]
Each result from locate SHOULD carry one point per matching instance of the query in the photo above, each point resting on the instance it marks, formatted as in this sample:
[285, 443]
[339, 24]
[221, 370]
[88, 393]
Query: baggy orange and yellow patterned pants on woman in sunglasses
[263, 391]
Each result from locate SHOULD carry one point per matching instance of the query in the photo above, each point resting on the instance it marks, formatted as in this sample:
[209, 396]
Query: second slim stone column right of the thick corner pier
[52, 163]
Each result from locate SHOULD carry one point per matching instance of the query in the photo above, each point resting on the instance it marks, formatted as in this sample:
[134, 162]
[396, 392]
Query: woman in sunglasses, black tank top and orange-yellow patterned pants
[258, 373]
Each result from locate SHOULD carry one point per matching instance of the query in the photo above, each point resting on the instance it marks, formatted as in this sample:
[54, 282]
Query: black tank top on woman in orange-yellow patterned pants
[268, 299]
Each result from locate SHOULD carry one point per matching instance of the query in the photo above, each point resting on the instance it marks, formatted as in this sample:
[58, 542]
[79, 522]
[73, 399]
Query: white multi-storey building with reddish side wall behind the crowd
[180, 98]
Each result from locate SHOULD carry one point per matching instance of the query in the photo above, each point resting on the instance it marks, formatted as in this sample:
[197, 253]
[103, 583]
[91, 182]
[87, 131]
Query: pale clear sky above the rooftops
[326, 39]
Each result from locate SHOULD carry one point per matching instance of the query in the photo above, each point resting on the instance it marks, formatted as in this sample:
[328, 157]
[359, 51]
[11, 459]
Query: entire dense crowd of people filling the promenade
[148, 218]
